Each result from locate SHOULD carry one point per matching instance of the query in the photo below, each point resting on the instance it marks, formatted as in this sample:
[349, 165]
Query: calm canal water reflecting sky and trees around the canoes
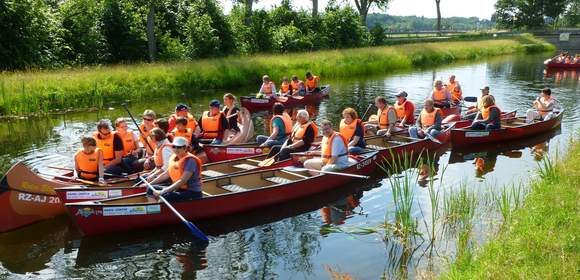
[334, 234]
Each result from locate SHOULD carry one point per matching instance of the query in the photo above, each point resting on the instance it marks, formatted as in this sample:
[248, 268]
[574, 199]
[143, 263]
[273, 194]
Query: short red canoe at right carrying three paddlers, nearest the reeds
[512, 128]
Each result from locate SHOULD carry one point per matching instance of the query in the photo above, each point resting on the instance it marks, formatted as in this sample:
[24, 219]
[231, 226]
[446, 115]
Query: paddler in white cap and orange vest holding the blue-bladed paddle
[183, 175]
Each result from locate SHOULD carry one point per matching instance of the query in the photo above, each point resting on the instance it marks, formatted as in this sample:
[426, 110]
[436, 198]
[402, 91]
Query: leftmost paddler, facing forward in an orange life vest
[88, 161]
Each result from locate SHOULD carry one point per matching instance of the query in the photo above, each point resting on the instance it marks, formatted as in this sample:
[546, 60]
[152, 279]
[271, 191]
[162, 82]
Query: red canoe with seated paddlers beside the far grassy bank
[265, 104]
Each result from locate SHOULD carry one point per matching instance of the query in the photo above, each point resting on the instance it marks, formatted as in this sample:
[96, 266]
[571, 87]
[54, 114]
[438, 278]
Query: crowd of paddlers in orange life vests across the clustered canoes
[170, 151]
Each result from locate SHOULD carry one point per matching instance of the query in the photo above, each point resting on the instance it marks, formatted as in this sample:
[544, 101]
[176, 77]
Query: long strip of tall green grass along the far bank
[25, 93]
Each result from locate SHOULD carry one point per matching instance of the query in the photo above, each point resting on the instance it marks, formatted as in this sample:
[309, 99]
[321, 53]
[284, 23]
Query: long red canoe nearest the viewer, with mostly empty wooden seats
[221, 197]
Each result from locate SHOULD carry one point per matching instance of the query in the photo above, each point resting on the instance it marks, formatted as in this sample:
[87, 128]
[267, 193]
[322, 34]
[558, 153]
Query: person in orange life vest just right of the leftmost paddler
[112, 146]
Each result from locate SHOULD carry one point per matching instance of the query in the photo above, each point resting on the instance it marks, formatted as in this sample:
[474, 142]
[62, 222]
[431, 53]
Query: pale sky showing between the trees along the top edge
[426, 8]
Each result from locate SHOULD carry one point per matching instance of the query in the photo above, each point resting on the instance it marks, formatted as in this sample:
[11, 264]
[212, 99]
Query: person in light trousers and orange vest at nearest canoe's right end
[333, 151]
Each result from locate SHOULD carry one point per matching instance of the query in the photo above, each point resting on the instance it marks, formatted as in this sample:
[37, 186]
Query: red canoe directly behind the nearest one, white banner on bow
[210, 170]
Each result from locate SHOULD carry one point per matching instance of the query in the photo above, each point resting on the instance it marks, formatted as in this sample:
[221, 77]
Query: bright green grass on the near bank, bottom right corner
[541, 240]
